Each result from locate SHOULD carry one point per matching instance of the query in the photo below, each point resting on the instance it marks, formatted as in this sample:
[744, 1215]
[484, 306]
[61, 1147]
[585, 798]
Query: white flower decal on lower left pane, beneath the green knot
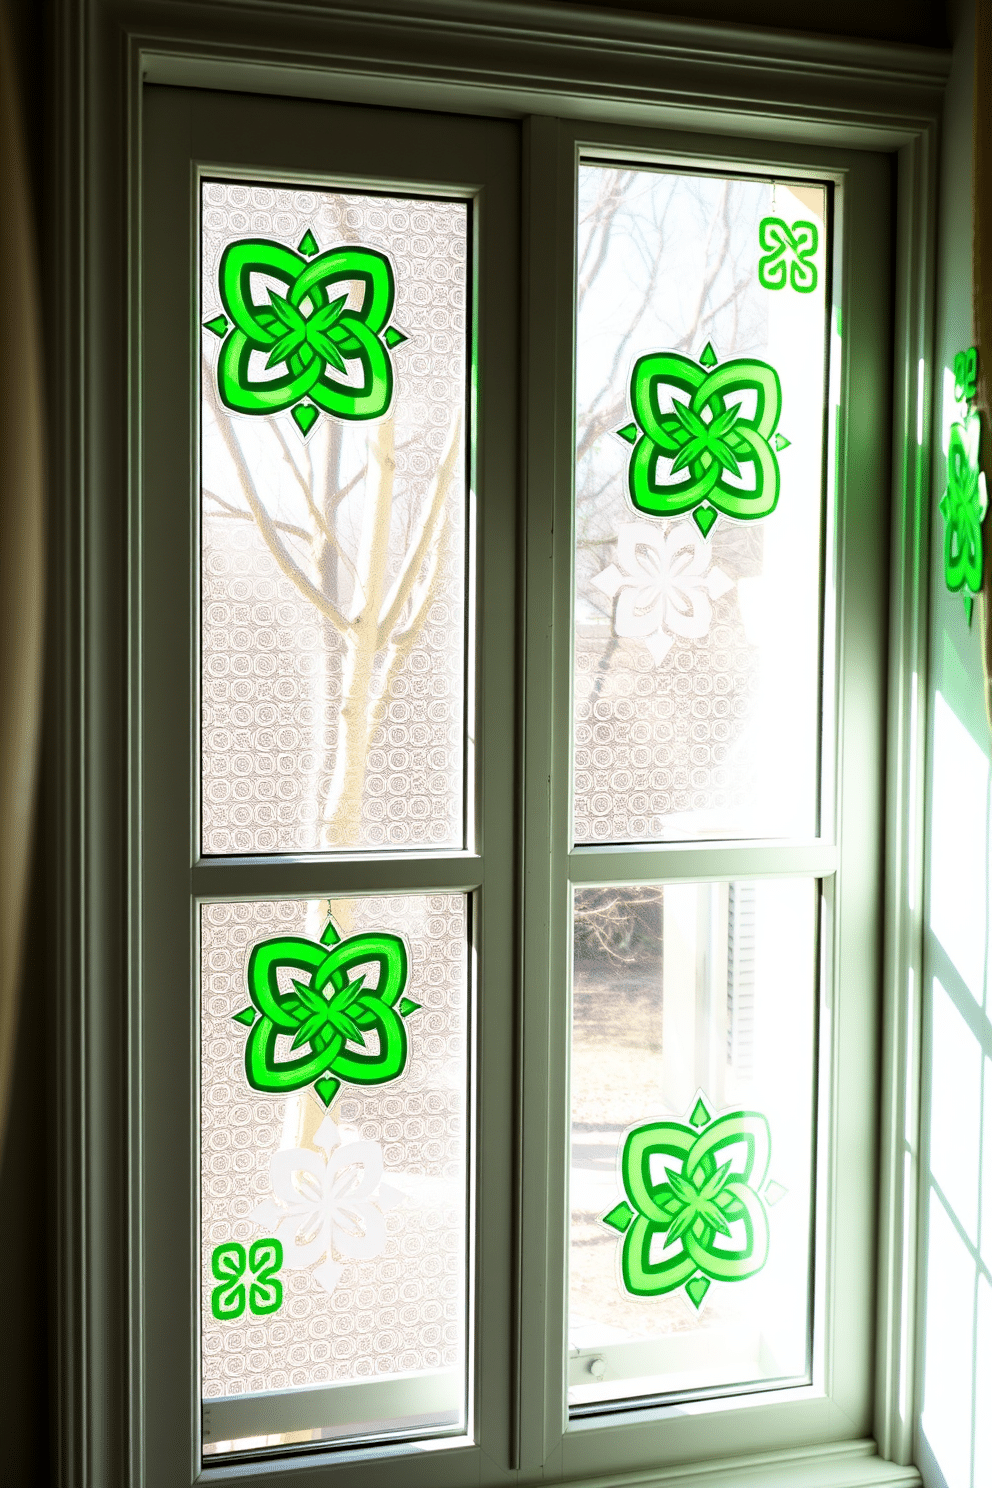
[328, 1208]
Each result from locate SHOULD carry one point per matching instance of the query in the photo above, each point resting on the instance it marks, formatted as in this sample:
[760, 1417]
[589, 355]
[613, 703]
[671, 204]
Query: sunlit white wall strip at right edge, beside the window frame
[956, 1426]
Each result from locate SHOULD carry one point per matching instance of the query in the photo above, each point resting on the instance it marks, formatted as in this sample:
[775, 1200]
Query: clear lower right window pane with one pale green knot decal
[692, 1108]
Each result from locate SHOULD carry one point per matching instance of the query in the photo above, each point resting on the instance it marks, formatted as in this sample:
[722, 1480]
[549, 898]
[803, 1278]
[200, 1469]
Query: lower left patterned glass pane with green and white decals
[334, 1078]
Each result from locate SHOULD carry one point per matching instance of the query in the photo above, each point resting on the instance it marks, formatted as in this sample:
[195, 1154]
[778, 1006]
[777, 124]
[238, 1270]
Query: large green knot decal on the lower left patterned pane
[331, 1016]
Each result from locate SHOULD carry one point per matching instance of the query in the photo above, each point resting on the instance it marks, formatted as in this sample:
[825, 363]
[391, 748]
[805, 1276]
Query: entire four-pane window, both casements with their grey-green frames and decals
[509, 697]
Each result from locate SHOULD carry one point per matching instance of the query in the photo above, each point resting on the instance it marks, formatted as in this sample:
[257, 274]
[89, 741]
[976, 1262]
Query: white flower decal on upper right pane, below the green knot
[663, 587]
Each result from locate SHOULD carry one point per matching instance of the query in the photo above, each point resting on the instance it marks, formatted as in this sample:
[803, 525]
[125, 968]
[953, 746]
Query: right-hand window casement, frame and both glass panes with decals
[700, 911]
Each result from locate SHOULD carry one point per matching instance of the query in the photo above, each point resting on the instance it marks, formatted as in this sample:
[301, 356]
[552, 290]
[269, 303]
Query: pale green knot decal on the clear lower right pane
[692, 1184]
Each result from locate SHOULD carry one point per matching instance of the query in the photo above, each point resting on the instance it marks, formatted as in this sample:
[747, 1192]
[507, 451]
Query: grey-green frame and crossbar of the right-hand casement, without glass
[847, 855]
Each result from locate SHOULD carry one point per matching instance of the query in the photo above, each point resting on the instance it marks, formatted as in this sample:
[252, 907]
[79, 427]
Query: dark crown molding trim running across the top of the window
[505, 59]
